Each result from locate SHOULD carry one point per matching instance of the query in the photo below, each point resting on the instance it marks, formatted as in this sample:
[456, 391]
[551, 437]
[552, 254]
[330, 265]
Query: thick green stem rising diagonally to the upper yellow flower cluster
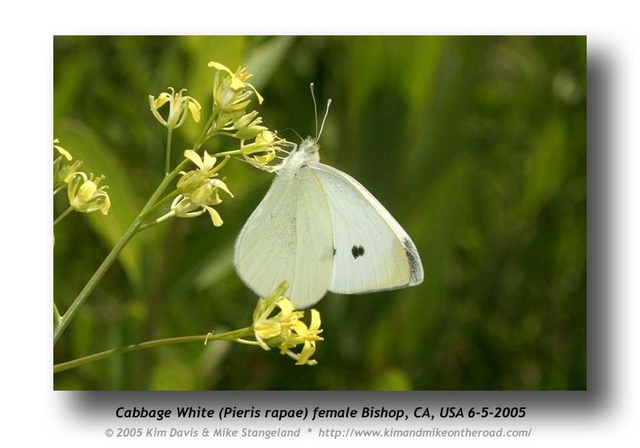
[113, 255]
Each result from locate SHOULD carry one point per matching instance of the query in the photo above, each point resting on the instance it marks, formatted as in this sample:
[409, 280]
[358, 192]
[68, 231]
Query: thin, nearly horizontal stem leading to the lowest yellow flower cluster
[229, 336]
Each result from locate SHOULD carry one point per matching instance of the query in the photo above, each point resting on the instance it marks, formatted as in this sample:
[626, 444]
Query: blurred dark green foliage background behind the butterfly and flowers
[477, 145]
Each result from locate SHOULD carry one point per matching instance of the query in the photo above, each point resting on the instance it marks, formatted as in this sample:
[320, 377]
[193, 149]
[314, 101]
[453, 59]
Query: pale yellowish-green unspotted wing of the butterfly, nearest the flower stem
[289, 237]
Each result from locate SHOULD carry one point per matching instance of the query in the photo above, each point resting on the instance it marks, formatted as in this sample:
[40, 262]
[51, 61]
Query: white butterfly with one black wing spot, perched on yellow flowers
[321, 230]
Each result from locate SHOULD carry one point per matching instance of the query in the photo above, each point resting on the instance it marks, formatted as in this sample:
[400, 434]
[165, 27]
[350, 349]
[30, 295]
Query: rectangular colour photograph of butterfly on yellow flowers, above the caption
[319, 212]
